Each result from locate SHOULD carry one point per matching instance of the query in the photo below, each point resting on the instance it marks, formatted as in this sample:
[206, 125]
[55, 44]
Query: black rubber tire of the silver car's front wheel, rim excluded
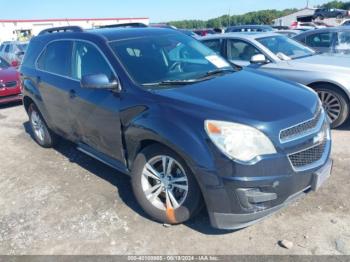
[343, 102]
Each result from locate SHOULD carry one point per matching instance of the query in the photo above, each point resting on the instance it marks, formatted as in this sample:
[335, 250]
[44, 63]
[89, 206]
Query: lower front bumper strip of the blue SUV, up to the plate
[241, 220]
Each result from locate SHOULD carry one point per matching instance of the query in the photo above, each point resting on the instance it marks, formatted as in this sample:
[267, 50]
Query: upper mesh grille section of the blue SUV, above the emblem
[300, 129]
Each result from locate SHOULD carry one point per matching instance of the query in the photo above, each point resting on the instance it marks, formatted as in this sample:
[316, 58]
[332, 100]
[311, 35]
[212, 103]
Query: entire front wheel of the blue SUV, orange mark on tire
[156, 204]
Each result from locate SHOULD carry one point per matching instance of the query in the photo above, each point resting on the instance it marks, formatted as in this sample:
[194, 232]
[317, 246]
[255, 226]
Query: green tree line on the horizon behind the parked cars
[259, 17]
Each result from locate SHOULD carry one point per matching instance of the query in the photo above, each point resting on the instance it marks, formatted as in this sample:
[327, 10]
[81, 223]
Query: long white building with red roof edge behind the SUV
[21, 29]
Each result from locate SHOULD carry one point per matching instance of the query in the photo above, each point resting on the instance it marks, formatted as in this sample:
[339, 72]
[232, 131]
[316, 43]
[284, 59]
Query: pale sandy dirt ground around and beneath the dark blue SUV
[59, 201]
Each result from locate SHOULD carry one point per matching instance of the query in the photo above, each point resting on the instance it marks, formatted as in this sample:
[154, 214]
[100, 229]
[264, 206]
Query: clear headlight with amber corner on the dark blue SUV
[237, 141]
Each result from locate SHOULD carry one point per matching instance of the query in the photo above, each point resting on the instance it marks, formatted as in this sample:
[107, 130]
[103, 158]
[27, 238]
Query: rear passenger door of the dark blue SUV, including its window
[54, 82]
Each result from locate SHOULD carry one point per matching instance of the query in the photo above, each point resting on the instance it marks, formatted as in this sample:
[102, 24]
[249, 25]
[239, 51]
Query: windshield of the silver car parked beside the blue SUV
[285, 48]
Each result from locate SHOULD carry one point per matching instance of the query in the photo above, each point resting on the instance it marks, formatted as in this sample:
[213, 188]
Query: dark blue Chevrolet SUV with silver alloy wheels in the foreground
[187, 127]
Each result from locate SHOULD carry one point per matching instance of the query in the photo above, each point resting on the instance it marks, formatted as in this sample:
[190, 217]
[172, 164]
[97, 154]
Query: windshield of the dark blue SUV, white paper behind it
[171, 57]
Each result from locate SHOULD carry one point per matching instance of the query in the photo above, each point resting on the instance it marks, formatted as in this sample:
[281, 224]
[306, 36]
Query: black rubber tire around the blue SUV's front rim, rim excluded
[192, 202]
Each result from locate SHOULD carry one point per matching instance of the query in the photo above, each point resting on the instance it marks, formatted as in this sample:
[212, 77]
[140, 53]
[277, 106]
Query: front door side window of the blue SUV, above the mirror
[87, 60]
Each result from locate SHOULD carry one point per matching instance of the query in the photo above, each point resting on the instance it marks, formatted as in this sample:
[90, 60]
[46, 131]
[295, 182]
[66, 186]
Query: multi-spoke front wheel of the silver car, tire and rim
[335, 103]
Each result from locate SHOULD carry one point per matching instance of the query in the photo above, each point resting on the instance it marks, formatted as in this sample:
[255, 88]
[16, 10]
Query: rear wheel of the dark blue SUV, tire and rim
[41, 133]
